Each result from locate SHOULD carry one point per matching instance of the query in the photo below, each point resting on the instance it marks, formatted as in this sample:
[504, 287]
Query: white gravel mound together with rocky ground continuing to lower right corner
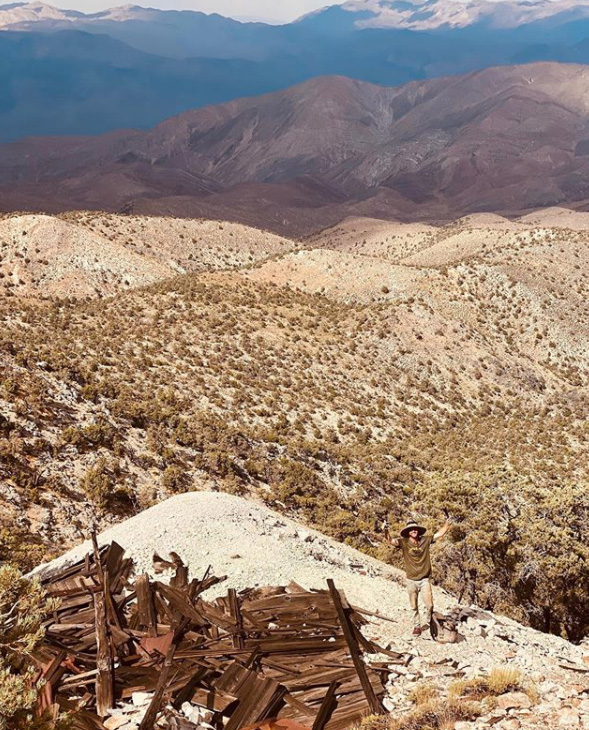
[254, 545]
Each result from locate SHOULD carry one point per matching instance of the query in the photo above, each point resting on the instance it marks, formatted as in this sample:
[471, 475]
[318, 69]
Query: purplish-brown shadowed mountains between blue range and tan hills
[506, 140]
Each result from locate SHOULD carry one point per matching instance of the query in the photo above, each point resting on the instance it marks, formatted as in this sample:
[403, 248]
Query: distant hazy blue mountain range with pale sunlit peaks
[64, 72]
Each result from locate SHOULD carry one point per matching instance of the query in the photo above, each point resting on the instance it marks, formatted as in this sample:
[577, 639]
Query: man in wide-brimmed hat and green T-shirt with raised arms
[415, 545]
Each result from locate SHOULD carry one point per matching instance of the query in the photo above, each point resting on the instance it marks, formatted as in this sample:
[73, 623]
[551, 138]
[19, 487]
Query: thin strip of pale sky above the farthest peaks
[271, 10]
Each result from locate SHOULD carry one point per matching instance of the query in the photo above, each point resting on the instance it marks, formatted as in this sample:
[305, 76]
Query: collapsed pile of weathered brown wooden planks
[266, 653]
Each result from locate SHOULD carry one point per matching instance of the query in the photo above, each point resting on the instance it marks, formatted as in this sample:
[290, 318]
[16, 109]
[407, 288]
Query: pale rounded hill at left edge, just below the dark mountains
[94, 254]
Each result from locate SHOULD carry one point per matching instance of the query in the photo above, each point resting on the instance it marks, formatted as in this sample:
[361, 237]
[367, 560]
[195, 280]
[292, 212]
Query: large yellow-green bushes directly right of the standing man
[516, 548]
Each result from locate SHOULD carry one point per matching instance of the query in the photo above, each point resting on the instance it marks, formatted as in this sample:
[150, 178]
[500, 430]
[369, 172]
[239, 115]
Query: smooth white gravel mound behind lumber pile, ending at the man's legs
[252, 545]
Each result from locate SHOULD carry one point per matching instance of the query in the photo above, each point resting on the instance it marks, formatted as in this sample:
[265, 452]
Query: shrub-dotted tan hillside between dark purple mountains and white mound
[335, 379]
